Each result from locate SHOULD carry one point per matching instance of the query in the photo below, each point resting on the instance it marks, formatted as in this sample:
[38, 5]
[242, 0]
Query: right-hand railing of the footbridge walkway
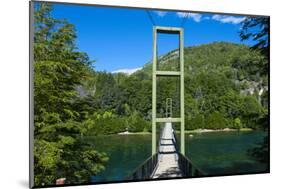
[187, 167]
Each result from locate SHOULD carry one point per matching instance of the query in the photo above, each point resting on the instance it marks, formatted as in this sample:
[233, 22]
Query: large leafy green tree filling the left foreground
[59, 150]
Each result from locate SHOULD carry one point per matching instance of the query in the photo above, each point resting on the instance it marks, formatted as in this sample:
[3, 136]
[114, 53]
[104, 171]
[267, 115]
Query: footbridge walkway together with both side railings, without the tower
[168, 162]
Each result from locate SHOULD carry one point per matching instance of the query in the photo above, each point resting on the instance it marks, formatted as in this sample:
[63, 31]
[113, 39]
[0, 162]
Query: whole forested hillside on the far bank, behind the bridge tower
[225, 87]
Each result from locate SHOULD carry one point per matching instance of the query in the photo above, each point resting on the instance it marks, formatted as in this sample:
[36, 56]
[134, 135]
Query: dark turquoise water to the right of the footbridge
[224, 153]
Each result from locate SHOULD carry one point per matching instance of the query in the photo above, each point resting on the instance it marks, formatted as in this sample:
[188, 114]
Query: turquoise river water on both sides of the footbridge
[215, 153]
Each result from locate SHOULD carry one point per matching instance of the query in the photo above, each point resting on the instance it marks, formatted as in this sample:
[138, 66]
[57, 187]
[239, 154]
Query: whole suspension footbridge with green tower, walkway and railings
[167, 160]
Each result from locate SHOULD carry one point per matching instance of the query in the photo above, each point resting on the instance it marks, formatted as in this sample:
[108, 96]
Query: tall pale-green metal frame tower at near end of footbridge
[156, 73]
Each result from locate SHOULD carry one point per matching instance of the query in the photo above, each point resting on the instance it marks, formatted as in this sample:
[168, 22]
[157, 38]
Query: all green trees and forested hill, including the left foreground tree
[226, 86]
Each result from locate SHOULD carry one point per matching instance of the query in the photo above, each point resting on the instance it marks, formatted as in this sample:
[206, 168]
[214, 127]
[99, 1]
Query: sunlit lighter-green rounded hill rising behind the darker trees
[238, 62]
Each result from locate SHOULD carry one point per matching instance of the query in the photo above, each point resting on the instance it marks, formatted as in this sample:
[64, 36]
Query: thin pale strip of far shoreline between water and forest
[190, 131]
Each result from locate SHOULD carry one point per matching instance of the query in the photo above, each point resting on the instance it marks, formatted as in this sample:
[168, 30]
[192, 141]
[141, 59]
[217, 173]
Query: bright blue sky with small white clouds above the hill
[120, 39]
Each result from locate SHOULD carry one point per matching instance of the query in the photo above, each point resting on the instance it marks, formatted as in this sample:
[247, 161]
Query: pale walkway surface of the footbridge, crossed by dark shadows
[168, 158]
